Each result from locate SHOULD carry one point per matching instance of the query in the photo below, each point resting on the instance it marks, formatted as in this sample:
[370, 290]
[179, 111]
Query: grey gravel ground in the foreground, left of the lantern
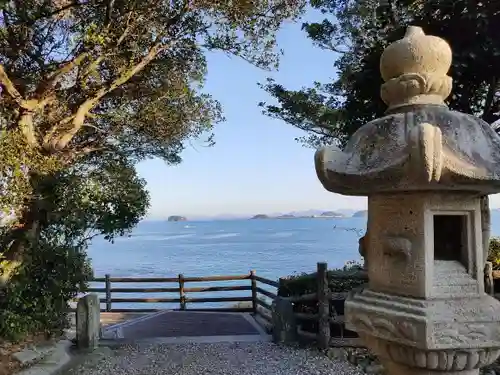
[218, 359]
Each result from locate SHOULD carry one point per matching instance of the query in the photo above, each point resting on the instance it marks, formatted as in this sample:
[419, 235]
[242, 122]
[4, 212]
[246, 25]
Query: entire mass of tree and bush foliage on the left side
[88, 89]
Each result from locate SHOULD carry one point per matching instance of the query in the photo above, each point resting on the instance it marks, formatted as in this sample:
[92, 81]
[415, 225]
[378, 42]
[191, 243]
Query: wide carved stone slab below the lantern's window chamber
[429, 324]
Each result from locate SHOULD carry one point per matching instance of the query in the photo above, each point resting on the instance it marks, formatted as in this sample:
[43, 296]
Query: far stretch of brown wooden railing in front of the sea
[183, 293]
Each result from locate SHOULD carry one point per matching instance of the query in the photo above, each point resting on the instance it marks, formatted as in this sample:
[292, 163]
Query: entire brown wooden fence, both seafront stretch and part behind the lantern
[257, 300]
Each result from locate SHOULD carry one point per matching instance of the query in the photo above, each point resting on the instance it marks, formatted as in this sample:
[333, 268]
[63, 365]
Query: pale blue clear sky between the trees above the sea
[256, 166]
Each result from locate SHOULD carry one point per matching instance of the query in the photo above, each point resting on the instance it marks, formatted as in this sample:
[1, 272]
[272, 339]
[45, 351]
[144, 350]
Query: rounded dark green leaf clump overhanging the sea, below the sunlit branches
[102, 197]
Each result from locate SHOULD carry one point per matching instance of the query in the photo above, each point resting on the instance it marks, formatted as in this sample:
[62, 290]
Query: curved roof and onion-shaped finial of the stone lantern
[420, 143]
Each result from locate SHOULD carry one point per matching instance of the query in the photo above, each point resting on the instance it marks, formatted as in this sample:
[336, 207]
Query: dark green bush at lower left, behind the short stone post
[36, 298]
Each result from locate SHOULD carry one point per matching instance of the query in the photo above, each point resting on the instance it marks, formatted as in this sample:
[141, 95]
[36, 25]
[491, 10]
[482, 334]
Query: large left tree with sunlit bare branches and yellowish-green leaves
[119, 80]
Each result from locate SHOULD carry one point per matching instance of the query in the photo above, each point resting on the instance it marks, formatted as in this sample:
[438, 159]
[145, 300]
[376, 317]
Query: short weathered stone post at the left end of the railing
[88, 322]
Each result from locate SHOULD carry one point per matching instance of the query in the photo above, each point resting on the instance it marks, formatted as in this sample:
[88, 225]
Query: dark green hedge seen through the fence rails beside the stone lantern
[339, 281]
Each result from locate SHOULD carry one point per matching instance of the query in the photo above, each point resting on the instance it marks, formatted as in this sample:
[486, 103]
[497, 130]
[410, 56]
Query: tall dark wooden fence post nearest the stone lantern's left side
[323, 306]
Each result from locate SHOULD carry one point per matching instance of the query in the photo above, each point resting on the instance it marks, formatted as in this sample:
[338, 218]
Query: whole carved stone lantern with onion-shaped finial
[426, 170]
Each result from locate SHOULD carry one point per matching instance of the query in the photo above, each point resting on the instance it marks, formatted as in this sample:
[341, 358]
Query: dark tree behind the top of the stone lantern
[357, 31]
